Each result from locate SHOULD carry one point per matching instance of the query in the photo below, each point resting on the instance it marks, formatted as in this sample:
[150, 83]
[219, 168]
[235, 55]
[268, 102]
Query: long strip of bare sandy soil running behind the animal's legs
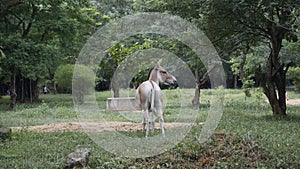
[92, 126]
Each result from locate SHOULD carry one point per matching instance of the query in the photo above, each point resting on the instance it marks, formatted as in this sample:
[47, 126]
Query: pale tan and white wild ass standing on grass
[149, 96]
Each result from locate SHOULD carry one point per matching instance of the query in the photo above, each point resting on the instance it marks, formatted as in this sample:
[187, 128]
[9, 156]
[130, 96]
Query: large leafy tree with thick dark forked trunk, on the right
[261, 22]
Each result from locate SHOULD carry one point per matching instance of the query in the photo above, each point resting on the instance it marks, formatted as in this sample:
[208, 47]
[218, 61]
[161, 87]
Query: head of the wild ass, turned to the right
[164, 76]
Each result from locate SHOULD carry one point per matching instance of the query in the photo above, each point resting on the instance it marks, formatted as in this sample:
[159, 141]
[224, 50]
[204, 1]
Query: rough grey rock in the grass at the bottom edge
[79, 158]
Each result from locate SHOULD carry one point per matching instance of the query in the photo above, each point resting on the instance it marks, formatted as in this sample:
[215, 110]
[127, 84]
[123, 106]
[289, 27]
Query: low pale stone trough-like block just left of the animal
[122, 104]
